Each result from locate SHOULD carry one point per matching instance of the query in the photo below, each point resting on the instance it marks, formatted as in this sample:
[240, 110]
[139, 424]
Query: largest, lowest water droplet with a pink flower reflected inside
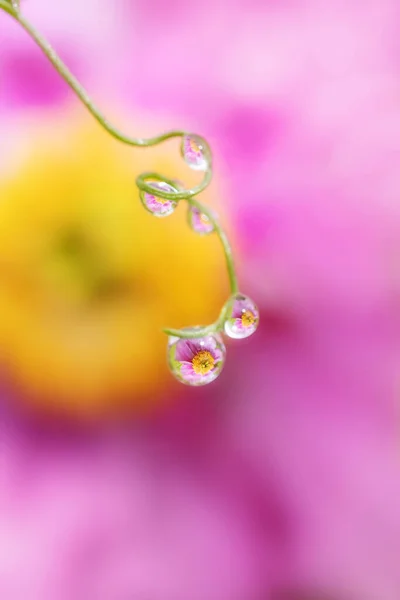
[196, 361]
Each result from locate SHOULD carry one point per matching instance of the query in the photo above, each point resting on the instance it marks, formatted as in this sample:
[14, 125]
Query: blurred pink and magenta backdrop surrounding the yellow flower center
[282, 480]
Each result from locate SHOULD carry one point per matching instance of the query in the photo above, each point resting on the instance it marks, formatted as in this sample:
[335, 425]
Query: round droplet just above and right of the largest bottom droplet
[242, 317]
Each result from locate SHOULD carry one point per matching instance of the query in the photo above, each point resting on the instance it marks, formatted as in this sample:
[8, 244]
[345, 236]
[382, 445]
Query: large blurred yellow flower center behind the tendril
[88, 278]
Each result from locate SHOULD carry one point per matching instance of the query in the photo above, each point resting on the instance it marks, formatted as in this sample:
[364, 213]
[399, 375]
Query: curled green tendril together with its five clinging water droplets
[195, 357]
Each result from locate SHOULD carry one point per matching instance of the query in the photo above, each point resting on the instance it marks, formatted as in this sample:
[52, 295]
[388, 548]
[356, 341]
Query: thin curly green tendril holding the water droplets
[143, 181]
